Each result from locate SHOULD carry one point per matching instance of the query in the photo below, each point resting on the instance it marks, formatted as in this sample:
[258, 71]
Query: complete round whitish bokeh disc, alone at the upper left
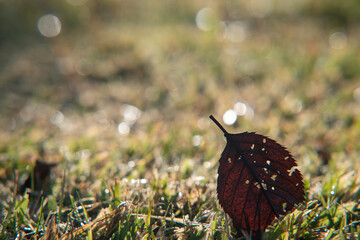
[49, 25]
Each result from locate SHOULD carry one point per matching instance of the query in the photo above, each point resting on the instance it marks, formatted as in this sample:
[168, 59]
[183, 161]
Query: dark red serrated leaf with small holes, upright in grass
[257, 181]
